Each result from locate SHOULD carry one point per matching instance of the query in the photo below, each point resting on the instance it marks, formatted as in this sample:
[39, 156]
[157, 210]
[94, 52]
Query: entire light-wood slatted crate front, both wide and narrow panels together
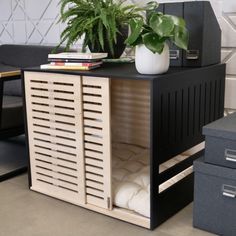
[69, 137]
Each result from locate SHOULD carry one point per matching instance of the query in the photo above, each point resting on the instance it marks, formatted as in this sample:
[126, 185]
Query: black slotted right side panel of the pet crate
[181, 105]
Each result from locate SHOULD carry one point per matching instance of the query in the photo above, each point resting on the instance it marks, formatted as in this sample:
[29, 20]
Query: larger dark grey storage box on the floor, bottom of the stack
[214, 198]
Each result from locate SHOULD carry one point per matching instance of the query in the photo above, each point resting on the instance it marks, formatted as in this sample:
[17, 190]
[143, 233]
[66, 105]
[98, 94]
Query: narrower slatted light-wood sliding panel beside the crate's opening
[97, 141]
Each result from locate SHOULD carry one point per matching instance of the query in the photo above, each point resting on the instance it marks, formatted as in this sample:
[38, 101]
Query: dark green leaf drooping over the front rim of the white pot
[153, 42]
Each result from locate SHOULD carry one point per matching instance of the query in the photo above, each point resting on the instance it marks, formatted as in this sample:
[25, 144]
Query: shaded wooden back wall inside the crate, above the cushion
[130, 102]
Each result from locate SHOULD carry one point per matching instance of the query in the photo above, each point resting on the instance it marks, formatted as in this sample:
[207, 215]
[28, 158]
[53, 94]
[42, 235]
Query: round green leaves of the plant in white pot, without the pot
[157, 29]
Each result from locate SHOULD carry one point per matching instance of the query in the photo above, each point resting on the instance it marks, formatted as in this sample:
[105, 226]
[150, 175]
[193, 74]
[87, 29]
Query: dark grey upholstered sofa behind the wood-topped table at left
[16, 57]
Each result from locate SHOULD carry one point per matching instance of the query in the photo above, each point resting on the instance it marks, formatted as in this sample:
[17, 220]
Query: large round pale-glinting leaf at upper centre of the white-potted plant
[161, 24]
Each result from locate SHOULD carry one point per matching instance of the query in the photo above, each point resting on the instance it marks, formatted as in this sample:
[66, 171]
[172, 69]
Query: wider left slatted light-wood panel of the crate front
[54, 115]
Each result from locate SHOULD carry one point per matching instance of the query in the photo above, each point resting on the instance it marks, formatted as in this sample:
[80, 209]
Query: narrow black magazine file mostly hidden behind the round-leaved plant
[176, 53]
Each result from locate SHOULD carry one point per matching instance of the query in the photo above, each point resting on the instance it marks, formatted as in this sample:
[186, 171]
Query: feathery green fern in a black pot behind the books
[103, 23]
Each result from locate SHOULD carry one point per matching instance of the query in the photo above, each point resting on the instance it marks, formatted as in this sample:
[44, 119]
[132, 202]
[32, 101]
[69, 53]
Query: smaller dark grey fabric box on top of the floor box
[221, 141]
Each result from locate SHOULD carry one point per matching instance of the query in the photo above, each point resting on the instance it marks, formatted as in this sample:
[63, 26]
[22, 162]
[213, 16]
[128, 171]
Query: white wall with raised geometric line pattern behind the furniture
[35, 22]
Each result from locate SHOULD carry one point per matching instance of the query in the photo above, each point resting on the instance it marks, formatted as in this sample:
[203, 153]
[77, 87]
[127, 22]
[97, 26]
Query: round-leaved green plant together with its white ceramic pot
[151, 36]
